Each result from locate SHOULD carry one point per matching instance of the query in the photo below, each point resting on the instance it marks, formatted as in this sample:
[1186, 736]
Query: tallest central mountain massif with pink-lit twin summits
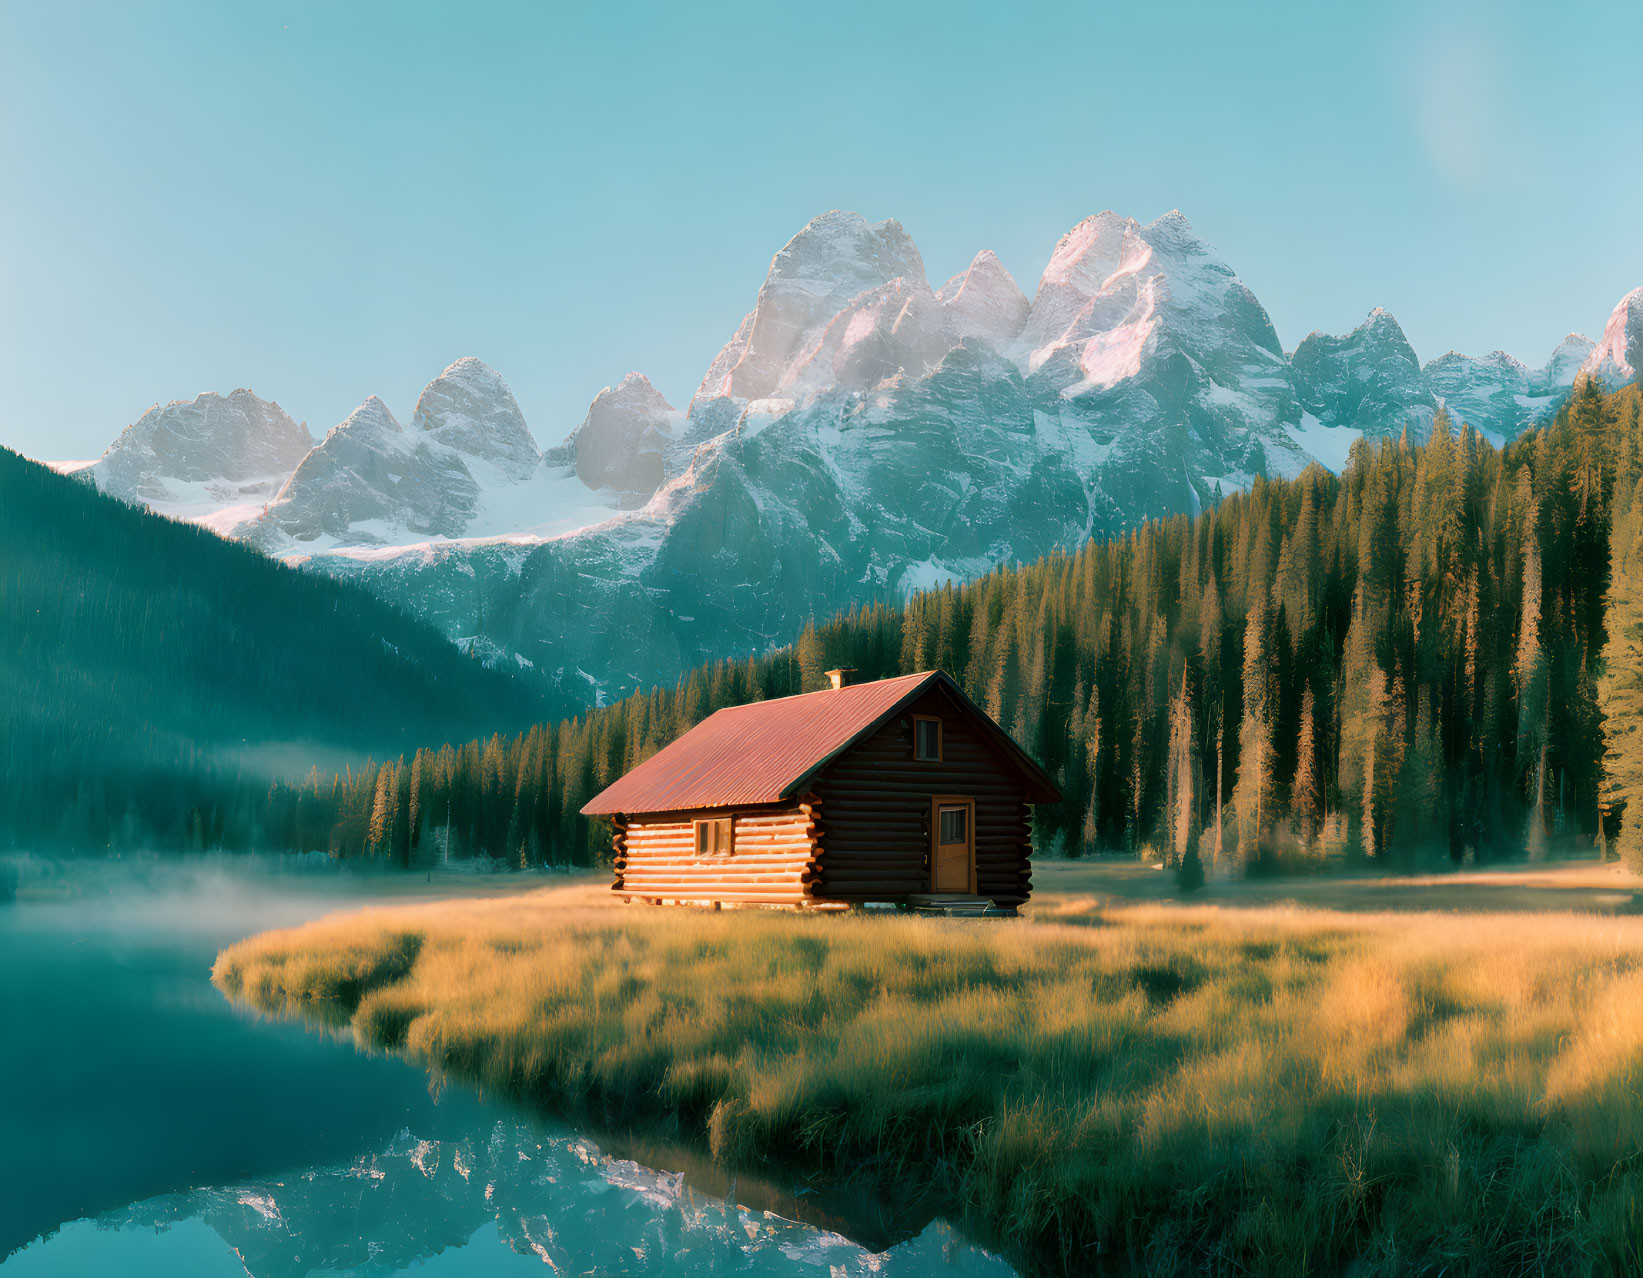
[862, 436]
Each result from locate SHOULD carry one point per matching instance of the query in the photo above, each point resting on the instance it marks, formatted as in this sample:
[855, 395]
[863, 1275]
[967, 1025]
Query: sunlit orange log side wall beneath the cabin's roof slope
[773, 860]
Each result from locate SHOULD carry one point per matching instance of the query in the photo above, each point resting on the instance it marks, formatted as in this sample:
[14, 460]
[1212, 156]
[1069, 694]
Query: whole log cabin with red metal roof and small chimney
[896, 791]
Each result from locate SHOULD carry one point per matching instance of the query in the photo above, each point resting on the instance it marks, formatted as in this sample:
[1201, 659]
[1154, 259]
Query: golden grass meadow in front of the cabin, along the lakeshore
[1376, 1077]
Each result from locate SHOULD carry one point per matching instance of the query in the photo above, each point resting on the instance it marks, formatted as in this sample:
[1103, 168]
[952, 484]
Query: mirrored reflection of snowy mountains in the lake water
[558, 1198]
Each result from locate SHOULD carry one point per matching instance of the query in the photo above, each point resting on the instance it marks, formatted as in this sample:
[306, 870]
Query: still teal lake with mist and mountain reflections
[150, 1128]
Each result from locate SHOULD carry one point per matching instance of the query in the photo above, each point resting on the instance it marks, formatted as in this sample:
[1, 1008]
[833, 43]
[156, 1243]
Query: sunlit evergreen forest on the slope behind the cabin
[1404, 663]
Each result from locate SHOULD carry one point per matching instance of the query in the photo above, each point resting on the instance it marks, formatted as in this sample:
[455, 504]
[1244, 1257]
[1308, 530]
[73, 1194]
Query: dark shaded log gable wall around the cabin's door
[875, 839]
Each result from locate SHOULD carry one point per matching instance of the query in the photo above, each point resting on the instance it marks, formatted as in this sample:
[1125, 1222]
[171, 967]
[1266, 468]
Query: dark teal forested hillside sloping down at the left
[149, 669]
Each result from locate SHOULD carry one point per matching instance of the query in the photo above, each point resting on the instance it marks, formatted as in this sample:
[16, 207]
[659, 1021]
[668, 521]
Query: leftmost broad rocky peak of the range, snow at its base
[214, 459]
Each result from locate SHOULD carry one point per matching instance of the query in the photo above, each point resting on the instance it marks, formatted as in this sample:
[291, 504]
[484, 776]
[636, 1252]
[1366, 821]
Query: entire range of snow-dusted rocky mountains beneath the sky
[858, 436]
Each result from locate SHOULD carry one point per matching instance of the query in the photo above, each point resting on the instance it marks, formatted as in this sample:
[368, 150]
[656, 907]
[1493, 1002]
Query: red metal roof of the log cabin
[762, 752]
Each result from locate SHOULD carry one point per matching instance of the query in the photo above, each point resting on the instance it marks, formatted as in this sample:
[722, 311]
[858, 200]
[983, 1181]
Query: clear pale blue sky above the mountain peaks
[331, 201]
